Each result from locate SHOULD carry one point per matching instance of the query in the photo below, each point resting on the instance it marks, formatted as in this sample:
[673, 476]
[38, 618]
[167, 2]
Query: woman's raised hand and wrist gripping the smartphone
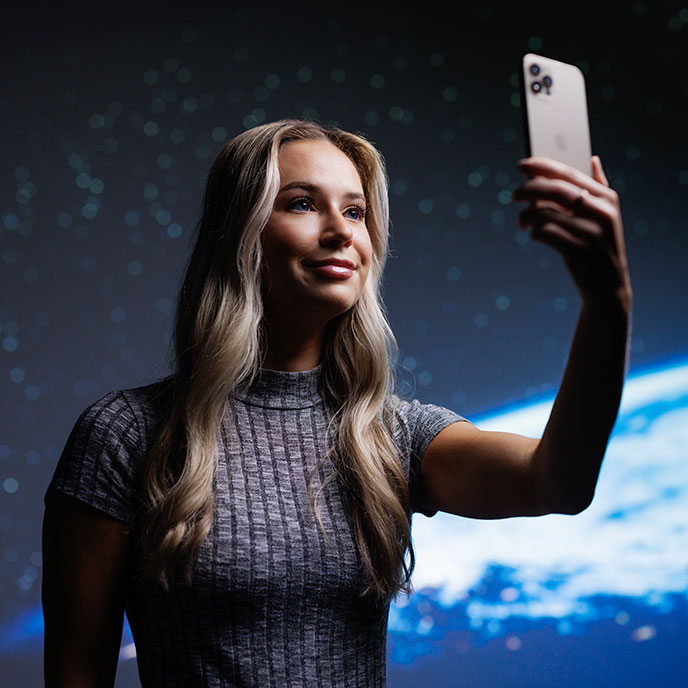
[579, 217]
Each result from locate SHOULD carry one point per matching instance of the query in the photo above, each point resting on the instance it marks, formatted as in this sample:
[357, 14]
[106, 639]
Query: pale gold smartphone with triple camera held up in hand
[555, 111]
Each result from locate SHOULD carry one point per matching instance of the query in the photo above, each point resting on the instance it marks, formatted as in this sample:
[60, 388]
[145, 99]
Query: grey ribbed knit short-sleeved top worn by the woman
[273, 600]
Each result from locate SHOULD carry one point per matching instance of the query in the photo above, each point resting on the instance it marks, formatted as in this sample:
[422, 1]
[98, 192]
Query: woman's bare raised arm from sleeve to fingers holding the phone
[494, 475]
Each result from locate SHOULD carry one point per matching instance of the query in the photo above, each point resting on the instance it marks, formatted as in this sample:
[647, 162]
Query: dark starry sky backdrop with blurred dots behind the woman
[112, 117]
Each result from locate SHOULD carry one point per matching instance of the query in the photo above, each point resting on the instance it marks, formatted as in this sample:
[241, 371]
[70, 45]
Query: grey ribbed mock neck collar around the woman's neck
[282, 390]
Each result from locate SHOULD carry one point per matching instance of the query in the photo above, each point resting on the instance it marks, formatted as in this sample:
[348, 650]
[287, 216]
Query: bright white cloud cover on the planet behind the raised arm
[632, 541]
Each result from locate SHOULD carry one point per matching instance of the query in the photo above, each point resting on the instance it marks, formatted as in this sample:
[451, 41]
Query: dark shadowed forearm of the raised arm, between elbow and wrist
[570, 453]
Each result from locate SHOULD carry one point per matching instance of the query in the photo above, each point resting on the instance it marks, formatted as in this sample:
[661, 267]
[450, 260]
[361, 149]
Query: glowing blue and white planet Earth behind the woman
[598, 599]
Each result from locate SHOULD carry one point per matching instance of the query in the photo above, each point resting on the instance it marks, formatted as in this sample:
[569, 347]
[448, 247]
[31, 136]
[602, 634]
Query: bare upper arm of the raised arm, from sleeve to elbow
[480, 474]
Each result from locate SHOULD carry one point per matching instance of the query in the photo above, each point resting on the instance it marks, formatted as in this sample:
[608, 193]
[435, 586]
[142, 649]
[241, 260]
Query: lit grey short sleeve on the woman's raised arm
[416, 425]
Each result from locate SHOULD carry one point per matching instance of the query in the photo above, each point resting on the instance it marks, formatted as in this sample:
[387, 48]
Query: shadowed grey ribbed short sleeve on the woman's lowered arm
[99, 461]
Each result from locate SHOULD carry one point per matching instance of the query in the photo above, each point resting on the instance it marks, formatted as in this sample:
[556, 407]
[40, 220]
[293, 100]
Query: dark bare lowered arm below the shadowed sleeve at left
[85, 562]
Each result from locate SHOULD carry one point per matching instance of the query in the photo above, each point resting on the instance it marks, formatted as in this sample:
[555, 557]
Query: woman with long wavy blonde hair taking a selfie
[252, 512]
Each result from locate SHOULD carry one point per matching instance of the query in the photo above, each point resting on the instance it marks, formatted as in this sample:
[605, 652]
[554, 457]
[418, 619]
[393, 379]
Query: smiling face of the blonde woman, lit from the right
[316, 247]
